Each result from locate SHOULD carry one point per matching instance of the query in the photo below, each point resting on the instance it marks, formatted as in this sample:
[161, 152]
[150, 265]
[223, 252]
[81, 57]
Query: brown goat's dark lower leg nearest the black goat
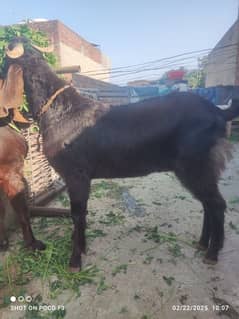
[20, 206]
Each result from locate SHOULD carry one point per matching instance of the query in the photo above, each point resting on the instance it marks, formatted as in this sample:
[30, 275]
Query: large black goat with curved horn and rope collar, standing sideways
[83, 140]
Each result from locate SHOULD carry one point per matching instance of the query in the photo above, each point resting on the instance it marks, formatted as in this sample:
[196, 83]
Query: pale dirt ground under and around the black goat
[149, 268]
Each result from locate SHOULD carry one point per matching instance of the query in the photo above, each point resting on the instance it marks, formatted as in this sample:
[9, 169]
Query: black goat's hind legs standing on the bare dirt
[200, 178]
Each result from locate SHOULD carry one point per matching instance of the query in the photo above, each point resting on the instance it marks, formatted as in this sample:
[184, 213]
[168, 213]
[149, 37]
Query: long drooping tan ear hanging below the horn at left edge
[11, 90]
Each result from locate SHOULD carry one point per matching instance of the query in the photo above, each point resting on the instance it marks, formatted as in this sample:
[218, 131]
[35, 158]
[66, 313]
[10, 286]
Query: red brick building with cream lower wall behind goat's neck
[72, 49]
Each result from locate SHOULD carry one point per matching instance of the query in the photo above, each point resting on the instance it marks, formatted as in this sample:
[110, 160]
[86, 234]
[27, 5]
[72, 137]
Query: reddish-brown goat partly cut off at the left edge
[13, 150]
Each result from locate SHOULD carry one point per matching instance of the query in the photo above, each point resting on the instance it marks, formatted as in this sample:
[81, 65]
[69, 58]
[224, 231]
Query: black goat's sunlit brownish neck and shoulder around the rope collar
[69, 114]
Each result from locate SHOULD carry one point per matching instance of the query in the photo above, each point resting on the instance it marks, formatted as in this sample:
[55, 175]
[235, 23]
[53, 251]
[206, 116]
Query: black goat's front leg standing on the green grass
[78, 188]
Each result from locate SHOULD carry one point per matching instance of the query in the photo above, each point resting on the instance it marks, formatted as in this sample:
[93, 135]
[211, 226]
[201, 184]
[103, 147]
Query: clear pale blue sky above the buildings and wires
[134, 32]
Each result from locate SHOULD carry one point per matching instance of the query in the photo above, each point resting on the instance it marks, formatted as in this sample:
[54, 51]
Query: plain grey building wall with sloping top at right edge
[222, 67]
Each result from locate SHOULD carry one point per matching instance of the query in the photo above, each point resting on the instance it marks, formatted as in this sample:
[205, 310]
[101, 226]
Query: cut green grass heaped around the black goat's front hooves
[22, 266]
